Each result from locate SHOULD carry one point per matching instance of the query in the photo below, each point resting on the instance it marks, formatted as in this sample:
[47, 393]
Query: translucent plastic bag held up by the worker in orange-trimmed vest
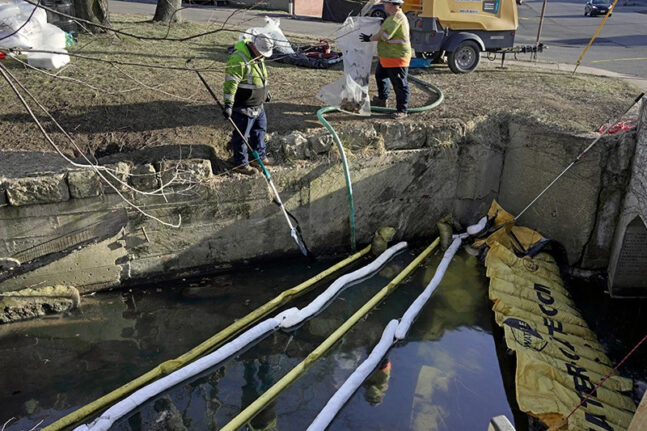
[350, 93]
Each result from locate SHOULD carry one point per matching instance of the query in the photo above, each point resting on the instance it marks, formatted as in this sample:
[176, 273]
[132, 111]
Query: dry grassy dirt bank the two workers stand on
[108, 107]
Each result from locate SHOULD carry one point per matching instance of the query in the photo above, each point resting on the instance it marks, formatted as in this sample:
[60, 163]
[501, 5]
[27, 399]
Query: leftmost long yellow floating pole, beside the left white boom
[218, 339]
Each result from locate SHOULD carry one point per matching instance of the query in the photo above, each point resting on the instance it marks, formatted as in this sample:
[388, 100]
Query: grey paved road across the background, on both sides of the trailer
[566, 30]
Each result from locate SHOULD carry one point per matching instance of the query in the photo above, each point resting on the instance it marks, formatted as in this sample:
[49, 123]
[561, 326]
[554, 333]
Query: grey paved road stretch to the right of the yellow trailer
[567, 31]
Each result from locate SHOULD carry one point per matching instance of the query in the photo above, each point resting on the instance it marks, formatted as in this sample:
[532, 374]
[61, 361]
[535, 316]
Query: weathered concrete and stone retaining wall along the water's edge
[76, 231]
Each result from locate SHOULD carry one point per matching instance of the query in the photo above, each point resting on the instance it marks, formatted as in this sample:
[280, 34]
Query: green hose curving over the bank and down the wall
[344, 161]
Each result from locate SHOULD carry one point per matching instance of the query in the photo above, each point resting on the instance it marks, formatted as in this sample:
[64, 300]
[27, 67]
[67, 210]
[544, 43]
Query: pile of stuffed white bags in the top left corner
[35, 33]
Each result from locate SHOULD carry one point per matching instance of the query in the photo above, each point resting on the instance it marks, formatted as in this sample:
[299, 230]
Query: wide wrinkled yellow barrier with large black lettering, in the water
[559, 360]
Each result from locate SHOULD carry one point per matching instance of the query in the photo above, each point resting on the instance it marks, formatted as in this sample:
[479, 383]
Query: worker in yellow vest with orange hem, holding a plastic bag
[394, 52]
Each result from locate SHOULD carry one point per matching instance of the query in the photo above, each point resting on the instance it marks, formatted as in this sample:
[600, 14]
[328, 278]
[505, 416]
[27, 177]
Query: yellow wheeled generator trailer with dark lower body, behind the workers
[460, 29]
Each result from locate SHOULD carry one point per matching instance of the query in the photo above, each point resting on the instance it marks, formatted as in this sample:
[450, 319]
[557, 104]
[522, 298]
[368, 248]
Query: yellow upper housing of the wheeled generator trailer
[494, 15]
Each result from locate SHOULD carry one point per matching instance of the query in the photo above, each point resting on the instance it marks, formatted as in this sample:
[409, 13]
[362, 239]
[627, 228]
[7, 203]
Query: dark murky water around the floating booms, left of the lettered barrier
[446, 376]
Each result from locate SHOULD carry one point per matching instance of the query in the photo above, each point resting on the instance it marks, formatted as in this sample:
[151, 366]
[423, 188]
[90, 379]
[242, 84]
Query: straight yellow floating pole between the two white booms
[262, 401]
